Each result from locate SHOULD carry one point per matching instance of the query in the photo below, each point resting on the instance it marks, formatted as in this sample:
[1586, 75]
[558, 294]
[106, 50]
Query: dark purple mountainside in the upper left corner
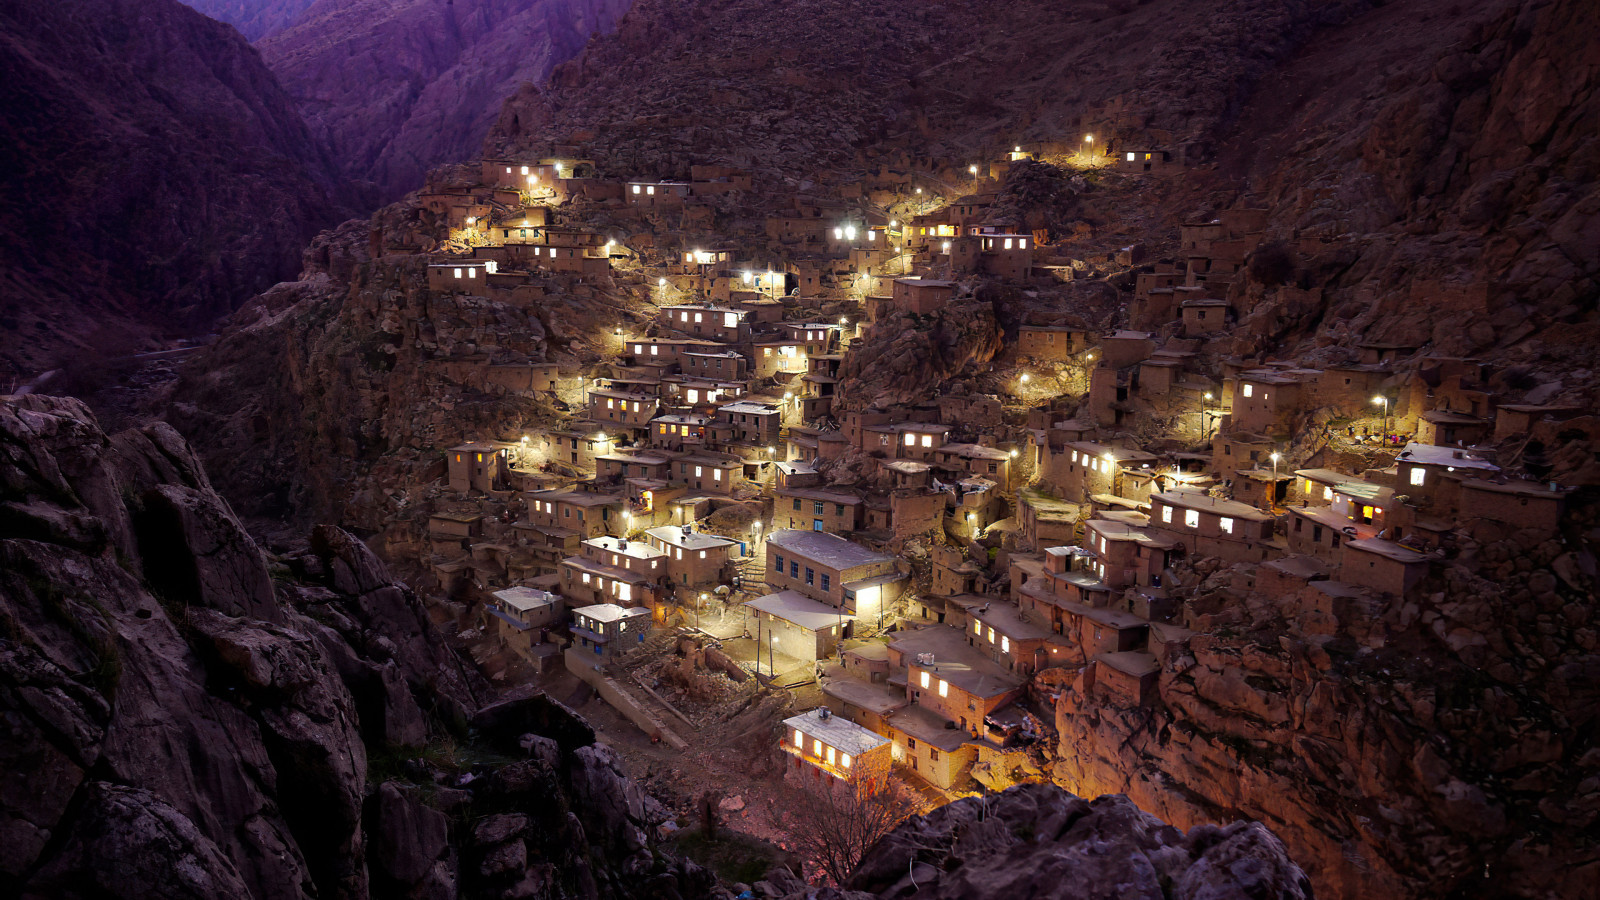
[156, 177]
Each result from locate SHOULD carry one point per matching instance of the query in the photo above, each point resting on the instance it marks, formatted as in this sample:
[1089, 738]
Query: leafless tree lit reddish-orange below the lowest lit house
[833, 824]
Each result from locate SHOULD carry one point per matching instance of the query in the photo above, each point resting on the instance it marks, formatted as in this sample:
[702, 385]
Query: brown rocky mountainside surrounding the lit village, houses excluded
[1415, 198]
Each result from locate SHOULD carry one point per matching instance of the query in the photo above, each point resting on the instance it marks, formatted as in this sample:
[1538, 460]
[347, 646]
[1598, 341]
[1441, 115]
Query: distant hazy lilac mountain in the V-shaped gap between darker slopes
[399, 87]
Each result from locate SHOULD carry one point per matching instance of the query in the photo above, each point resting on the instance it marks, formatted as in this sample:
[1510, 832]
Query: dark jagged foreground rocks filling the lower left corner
[188, 718]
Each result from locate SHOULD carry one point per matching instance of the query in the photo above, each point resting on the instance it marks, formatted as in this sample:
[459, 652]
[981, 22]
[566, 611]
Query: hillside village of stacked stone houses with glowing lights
[921, 579]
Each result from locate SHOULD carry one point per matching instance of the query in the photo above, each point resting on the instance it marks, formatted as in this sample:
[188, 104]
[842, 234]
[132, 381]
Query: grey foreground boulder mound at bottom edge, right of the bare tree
[1041, 842]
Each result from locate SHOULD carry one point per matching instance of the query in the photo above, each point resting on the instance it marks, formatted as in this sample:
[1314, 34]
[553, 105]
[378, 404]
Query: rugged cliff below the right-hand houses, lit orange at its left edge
[1425, 749]
